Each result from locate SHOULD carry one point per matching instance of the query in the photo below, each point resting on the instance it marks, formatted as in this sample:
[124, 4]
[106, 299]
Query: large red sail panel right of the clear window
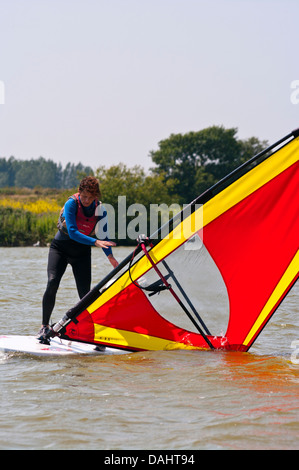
[253, 244]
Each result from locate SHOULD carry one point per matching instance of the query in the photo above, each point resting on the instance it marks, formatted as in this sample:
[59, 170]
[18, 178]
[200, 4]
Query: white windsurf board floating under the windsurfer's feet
[57, 347]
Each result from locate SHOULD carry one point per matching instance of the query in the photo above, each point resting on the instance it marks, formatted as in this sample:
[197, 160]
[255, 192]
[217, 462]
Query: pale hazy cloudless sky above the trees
[104, 81]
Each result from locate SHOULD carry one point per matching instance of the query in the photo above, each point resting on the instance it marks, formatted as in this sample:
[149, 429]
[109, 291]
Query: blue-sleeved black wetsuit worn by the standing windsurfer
[72, 248]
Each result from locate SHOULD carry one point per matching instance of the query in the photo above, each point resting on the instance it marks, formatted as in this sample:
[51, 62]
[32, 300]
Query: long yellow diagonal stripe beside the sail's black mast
[219, 204]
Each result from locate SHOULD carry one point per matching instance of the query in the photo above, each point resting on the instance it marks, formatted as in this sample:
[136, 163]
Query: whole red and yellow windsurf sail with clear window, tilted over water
[246, 229]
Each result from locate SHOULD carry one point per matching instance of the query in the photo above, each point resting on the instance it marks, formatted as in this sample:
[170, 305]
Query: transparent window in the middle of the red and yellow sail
[197, 282]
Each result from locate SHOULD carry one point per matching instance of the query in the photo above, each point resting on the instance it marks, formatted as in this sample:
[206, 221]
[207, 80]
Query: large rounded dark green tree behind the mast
[191, 163]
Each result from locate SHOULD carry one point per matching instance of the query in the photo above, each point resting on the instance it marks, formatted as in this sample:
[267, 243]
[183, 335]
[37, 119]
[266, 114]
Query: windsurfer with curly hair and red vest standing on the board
[72, 245]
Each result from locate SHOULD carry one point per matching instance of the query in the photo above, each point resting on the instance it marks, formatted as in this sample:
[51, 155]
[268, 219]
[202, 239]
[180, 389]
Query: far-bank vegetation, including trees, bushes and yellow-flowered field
[32, 192]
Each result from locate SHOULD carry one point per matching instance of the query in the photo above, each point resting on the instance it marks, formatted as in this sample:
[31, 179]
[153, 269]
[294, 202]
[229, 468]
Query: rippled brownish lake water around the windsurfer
[147, 400]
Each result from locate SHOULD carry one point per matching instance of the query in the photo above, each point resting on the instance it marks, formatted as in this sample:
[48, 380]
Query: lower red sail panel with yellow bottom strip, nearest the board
[129, 321]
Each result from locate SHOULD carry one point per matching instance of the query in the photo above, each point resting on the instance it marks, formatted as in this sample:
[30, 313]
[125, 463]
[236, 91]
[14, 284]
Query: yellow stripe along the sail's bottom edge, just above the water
[115, 337]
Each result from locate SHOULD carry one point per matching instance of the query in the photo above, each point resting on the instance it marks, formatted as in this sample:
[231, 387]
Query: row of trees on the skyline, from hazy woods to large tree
[185, 166]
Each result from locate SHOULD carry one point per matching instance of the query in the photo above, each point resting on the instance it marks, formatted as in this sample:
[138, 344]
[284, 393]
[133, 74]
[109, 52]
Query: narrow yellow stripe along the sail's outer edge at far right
[282, 286]
